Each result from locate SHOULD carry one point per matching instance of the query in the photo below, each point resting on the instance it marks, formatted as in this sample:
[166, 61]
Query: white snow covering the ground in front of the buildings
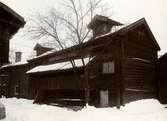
[25, 110]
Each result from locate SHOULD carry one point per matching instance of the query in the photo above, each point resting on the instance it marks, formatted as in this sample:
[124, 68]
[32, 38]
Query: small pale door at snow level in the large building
[104, 98]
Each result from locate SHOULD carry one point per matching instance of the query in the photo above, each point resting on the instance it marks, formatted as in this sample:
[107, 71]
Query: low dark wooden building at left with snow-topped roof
[15, 80]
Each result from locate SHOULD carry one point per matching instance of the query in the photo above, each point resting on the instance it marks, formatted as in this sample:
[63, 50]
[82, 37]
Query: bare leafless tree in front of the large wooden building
[68, 27]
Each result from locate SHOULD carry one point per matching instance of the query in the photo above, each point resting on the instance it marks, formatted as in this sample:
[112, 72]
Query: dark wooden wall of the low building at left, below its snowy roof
[17, 76]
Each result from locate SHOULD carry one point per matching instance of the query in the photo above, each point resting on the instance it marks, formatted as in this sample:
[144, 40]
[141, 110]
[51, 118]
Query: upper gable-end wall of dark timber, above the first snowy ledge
[142, 47]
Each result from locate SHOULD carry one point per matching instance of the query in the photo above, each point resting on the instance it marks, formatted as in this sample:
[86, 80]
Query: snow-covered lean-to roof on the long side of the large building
[59, 66]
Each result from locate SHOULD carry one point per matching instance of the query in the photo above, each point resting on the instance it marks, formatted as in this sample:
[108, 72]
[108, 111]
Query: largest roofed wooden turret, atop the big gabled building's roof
[102, 25]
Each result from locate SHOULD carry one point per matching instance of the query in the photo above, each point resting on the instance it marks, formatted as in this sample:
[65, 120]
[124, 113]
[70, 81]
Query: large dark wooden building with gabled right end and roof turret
[118, 67]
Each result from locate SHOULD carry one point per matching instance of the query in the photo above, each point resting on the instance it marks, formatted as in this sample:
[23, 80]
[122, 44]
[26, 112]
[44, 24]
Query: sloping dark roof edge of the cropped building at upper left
[9, 10]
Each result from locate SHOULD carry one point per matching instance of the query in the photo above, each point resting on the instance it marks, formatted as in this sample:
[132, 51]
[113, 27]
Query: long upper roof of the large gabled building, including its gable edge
[96, 40]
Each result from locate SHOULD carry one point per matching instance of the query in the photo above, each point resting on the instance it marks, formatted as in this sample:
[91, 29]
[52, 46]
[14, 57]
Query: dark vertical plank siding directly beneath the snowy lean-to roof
[58, 82]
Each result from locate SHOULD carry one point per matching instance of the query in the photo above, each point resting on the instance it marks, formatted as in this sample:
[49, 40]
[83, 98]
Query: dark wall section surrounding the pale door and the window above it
[100, 81]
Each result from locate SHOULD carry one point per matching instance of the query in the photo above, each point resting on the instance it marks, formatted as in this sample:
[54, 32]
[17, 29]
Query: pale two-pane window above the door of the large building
[108, 67]
